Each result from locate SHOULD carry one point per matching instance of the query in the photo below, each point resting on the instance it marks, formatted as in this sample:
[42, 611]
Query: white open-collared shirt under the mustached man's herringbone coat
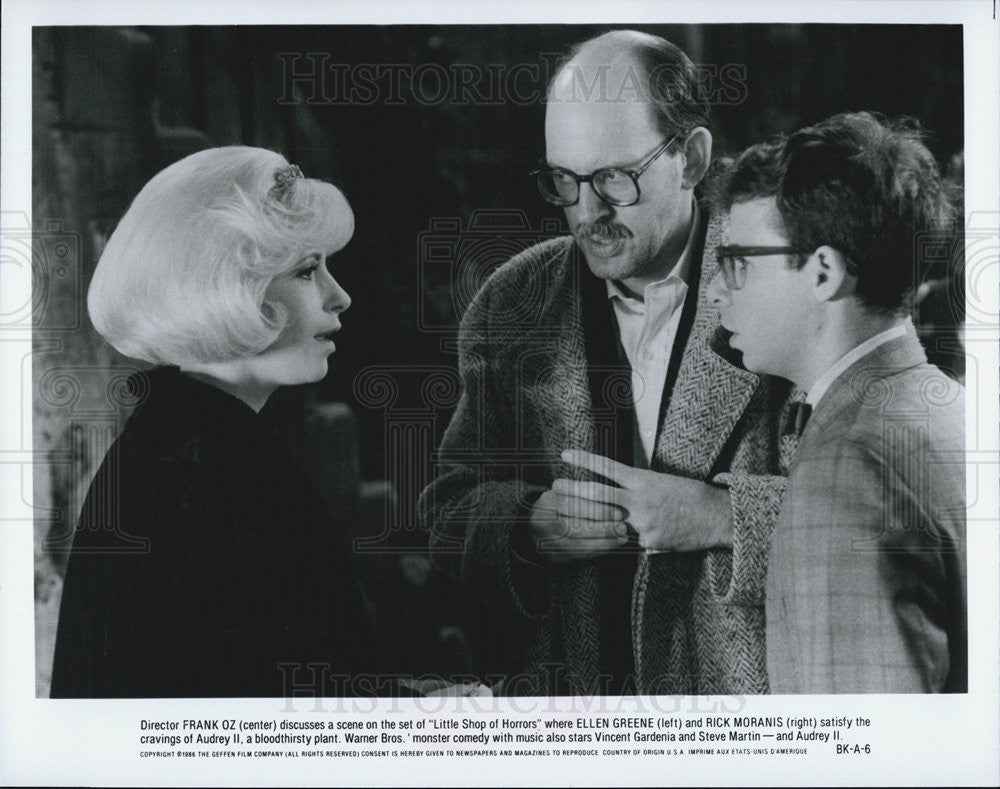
[647, 328]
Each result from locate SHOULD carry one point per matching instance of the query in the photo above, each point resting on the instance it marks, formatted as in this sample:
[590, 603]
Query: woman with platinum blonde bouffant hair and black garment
[217, 274]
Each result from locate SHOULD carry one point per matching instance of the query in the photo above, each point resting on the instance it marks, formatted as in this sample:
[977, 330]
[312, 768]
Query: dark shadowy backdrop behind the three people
[416, 158]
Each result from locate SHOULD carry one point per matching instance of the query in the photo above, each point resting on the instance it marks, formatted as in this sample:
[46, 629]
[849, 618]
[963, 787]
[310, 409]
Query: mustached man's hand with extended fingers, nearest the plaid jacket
[668, 512]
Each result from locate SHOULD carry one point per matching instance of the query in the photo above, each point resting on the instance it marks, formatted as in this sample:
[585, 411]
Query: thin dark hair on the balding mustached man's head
[678, 99]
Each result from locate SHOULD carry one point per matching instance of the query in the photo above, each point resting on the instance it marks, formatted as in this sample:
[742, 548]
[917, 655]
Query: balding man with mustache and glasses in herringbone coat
[589, 356]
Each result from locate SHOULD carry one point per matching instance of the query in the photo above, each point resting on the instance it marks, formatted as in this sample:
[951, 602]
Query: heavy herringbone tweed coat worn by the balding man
[696, 618]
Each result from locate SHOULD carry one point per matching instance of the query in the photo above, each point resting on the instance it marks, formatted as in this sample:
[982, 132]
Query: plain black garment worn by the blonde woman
[204, 564]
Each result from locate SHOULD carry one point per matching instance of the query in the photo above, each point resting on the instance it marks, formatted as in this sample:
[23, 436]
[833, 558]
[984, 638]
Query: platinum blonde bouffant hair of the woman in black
[183, 277]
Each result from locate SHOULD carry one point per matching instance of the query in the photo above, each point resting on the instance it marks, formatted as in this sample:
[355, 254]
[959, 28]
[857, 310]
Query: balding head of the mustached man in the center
[624, 104]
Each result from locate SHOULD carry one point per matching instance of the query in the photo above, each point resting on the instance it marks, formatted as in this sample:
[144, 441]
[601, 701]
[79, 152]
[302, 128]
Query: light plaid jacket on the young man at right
[866, 590]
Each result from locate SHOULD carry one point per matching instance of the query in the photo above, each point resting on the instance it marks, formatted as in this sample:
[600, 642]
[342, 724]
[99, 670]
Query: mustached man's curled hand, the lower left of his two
[571, 527]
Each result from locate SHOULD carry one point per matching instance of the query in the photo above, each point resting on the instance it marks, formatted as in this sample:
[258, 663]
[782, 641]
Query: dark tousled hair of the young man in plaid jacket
[861, 184]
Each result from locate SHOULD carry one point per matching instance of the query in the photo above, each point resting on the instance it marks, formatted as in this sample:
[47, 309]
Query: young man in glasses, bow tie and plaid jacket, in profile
[866, 577]
